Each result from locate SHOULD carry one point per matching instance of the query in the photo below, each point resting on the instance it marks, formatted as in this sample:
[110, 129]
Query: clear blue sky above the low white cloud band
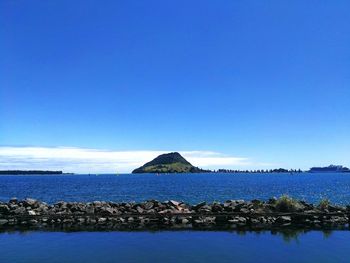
[266, 80]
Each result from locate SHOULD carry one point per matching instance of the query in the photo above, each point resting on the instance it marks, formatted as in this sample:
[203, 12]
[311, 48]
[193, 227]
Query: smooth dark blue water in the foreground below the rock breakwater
[191, 247]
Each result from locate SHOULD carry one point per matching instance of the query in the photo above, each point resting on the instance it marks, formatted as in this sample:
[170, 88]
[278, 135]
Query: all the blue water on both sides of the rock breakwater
[175, 246]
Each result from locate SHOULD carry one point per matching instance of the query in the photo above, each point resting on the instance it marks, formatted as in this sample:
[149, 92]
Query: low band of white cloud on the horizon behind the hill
[84, 160]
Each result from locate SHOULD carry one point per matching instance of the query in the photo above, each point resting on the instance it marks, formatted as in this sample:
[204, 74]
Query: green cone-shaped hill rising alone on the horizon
[169, 163]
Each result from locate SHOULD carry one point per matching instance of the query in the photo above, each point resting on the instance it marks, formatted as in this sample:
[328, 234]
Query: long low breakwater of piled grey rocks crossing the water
[275, 213]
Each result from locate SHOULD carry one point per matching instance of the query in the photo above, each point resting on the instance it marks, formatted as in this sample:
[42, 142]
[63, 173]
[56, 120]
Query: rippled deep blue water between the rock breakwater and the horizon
[191, 188]
